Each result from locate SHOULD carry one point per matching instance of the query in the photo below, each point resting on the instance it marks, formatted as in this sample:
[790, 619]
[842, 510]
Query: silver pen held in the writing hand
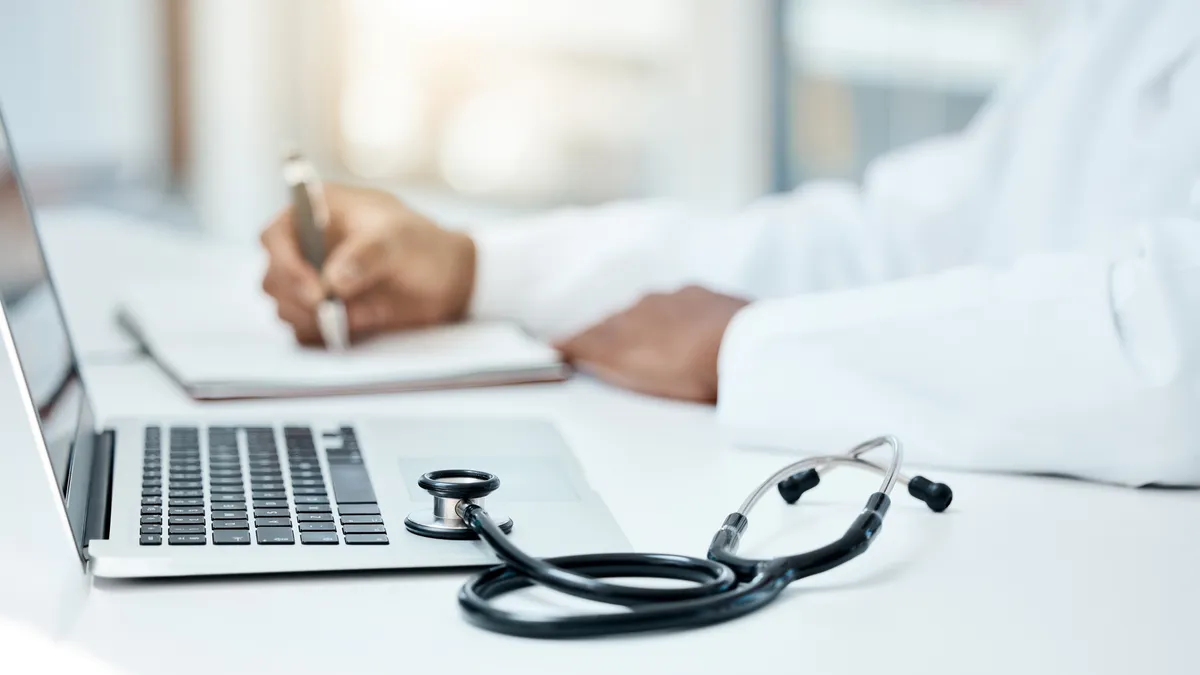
[311, 217]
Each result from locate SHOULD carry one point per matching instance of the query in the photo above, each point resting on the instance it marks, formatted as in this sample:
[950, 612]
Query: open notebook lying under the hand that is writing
[230, 345]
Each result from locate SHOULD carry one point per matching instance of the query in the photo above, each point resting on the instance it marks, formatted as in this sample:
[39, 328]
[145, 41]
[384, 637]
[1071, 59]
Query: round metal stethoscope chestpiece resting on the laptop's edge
[451, 488]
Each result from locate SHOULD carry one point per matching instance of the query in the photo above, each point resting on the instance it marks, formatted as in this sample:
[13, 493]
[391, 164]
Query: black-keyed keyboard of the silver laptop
[244, 499]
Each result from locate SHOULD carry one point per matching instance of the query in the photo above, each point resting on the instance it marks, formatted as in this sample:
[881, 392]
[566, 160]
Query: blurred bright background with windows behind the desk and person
[182, 110]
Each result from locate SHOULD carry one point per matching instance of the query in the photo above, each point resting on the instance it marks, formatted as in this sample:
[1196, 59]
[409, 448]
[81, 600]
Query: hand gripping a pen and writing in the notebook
[393, 267]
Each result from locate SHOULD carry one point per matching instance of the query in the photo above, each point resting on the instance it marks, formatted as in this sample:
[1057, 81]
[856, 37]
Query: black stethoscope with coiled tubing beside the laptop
[725, 587]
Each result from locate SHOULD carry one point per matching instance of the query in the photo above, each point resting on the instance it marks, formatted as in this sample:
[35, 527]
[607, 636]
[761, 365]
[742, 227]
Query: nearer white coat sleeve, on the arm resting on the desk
[1064, 363]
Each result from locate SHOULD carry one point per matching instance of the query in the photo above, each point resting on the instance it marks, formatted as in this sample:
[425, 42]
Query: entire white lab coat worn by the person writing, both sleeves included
[1022, 297]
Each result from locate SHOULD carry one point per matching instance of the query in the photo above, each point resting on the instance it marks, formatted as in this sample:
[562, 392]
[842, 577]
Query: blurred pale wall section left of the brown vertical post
[83, 82]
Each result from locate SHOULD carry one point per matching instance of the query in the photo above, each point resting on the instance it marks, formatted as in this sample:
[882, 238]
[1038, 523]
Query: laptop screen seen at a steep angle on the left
[40, 337]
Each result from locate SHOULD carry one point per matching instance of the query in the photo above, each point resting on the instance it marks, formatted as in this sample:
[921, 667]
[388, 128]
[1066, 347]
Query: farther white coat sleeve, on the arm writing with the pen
[562, 271]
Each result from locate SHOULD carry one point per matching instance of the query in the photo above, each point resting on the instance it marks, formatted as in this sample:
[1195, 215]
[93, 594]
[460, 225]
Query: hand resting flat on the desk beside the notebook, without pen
[665, 345]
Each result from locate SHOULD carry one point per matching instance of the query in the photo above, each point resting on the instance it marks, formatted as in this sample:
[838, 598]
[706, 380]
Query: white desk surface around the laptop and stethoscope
[1021, 576]
